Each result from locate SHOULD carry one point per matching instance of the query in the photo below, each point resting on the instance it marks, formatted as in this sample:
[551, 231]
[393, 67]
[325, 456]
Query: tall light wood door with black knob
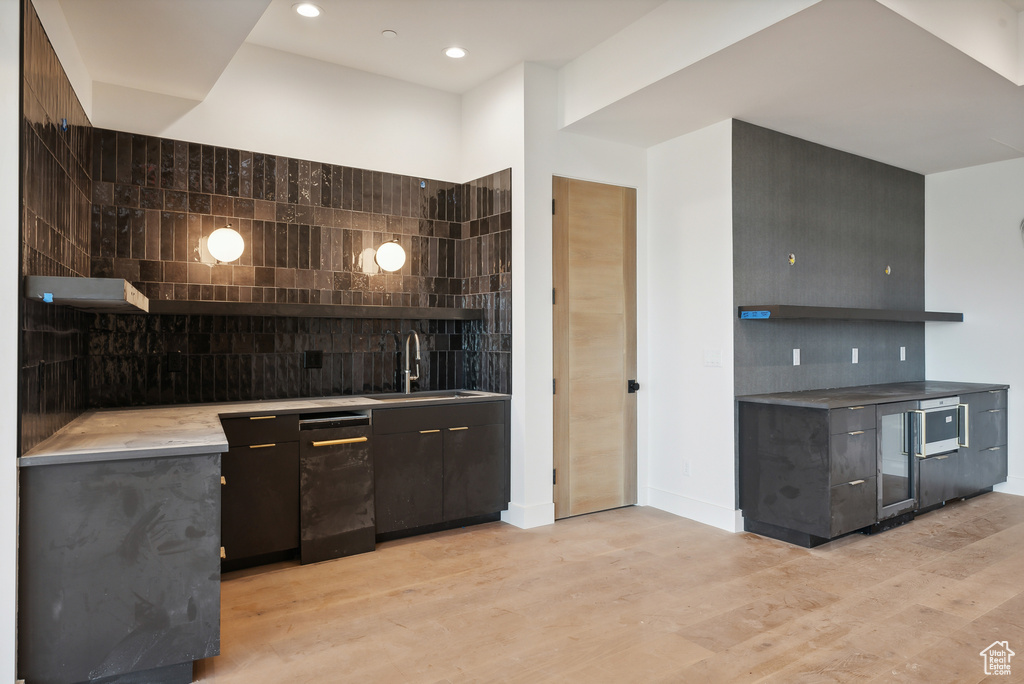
[594, 263]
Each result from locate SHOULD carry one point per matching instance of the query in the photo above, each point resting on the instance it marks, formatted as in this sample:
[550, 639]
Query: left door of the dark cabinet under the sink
[408, 472]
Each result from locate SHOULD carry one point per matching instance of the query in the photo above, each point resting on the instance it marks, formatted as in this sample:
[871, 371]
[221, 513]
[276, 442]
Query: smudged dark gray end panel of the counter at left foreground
[122, 570]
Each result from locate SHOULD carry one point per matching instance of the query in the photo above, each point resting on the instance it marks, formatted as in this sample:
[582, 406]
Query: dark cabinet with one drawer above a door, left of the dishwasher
[261, 499]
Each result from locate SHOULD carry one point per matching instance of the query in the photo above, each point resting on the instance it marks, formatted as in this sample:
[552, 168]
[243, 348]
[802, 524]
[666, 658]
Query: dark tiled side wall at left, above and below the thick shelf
[56, 206]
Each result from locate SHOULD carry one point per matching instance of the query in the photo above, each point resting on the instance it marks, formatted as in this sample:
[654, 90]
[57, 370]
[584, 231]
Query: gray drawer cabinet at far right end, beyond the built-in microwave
[984, 461]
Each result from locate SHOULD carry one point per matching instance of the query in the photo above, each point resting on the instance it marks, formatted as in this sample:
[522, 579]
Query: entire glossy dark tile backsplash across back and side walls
[106, 203]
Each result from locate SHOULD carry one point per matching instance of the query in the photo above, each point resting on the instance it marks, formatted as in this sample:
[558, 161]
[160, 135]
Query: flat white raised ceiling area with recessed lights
[498, 34]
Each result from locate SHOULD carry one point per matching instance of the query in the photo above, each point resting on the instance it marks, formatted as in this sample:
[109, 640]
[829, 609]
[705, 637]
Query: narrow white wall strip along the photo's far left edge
[11, 116]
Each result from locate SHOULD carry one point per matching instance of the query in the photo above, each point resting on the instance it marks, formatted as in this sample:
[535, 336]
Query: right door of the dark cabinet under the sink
[476, 472]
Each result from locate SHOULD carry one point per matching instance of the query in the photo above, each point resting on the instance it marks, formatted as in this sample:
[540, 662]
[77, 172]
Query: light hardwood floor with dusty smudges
[639, 595]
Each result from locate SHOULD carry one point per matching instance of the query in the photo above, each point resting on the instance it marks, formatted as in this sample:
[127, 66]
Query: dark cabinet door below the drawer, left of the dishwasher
[260, 501]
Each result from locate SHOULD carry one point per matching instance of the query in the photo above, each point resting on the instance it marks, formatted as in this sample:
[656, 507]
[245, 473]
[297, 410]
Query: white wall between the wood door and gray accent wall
[690, 311]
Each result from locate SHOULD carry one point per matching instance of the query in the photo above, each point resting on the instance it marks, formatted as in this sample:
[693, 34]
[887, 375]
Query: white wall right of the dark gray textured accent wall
[974, 264]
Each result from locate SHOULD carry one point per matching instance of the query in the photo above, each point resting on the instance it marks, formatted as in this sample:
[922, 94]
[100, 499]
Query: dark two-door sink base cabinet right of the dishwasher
[440, 464]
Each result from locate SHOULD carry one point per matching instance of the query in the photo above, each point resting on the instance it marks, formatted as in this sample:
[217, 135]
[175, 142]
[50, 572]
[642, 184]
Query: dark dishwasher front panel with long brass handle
[336, 494]
